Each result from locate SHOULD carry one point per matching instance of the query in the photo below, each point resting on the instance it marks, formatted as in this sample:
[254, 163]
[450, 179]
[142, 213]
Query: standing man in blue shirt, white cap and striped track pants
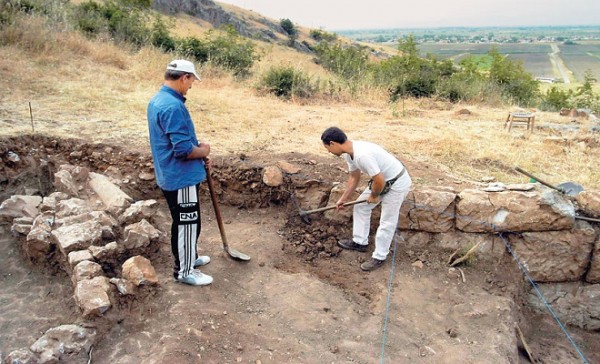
[179, 167]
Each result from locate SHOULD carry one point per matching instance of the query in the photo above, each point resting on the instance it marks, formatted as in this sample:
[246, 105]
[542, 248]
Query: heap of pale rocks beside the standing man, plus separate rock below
[88, 227]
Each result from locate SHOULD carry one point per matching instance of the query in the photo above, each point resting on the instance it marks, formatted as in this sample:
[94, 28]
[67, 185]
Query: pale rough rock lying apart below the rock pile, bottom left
[59, 344]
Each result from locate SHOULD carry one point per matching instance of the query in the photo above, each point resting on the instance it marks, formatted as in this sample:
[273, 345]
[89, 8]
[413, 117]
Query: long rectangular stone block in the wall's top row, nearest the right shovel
[516, 211]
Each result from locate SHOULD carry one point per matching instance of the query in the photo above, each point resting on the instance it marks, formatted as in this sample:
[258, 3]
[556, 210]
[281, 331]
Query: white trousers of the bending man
[390, 212]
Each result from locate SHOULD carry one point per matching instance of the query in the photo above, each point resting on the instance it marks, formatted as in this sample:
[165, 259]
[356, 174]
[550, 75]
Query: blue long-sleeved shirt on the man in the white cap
[172, 138]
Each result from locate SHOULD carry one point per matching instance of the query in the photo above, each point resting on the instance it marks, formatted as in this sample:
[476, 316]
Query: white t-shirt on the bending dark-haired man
[372, 159]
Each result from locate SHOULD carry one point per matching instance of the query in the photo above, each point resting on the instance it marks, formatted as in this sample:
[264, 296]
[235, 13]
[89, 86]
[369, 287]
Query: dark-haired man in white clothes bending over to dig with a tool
[389, 186]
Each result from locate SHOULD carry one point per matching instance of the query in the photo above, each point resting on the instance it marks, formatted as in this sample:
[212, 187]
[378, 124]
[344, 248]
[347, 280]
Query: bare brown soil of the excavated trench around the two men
[299, 300]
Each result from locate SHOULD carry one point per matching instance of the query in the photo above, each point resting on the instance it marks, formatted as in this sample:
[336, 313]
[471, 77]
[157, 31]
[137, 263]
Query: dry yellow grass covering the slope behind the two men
[99, 91]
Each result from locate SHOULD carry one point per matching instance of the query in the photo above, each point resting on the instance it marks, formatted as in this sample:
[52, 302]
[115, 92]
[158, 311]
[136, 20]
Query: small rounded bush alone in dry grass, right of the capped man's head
[285, 82]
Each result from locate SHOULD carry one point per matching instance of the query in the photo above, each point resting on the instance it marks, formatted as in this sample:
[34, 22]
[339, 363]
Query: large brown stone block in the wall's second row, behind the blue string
[555, 256]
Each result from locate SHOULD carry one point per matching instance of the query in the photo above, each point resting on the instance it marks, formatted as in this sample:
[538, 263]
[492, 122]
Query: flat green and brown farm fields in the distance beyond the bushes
[578, 58]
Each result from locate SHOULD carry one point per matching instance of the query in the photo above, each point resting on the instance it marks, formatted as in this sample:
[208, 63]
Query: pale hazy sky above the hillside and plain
[335, 15]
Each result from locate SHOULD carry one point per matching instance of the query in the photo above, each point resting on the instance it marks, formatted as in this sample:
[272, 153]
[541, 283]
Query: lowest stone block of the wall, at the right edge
[573, 303]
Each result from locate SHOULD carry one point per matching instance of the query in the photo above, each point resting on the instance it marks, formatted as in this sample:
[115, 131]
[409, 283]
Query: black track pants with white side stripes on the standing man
[185, 230]
